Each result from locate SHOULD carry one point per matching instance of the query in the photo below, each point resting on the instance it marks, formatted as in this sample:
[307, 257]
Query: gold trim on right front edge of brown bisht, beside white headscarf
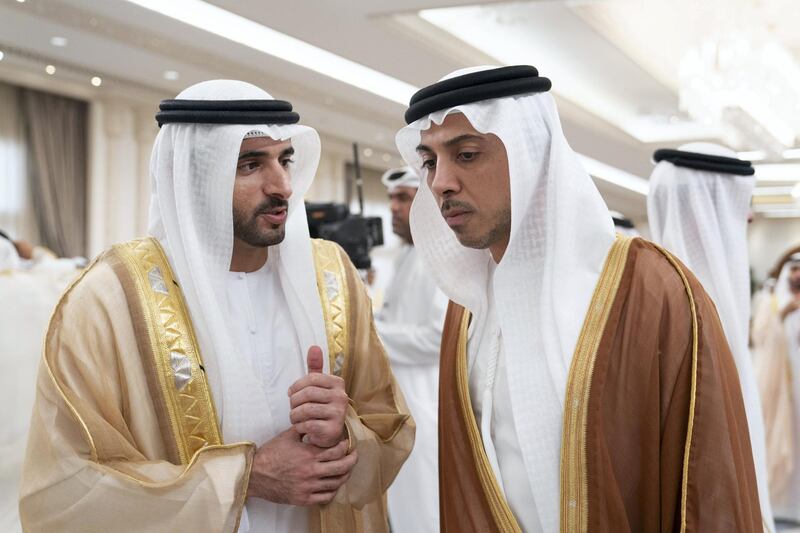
[574, 482]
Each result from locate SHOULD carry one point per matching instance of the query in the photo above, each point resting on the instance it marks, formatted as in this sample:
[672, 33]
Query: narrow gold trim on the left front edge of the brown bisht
[504, 519]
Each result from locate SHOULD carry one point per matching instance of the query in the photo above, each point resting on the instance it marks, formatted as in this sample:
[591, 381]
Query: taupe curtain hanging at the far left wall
[56, 131]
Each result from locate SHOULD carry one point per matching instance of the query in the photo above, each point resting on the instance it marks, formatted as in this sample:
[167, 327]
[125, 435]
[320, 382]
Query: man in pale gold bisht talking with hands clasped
[174, 393]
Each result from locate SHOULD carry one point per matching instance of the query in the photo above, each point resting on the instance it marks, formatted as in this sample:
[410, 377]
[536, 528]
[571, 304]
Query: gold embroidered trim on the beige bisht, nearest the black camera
[334, 296]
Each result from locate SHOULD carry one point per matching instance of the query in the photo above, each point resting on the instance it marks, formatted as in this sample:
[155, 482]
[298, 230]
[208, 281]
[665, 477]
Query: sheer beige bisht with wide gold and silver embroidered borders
[124, 435]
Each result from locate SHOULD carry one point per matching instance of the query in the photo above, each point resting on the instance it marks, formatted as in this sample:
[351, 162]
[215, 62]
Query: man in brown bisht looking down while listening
[585, 380]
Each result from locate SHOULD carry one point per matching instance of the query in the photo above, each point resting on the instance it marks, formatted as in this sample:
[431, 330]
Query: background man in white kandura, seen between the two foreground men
[410, 325]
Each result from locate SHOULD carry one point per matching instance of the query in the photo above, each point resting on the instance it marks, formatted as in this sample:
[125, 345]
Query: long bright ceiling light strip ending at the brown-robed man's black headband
[236, 28]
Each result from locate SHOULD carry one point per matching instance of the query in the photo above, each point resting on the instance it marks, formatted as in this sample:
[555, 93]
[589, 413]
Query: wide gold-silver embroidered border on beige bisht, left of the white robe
[179, 365]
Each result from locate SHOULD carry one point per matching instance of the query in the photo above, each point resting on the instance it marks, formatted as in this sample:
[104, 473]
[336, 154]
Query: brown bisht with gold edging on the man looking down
[655, 436]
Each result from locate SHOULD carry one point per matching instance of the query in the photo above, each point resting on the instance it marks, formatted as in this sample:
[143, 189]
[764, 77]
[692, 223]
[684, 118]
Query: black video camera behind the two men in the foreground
[357, 234]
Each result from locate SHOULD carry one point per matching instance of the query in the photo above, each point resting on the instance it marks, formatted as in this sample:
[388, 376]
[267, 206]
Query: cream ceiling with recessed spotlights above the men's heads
[612, 82]
